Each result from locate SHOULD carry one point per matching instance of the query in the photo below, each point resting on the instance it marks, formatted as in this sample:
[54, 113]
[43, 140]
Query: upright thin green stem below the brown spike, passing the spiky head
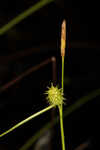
[61, 109]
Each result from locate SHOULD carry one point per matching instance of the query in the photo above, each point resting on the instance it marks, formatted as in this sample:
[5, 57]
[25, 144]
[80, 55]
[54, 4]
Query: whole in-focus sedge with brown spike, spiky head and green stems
[55, 96]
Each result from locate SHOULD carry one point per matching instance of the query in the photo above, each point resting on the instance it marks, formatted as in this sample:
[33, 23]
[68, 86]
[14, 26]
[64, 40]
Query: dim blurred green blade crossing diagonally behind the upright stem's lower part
[79, 103]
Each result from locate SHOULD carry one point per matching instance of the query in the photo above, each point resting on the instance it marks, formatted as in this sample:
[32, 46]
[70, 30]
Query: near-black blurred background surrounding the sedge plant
[33, 41]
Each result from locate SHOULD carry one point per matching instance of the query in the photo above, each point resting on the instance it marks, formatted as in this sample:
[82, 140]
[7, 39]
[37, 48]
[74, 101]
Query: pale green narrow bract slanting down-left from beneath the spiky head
[26, 120]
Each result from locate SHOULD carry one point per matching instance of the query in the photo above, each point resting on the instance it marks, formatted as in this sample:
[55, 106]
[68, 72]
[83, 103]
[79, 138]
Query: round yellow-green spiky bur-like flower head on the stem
[55, 95]
